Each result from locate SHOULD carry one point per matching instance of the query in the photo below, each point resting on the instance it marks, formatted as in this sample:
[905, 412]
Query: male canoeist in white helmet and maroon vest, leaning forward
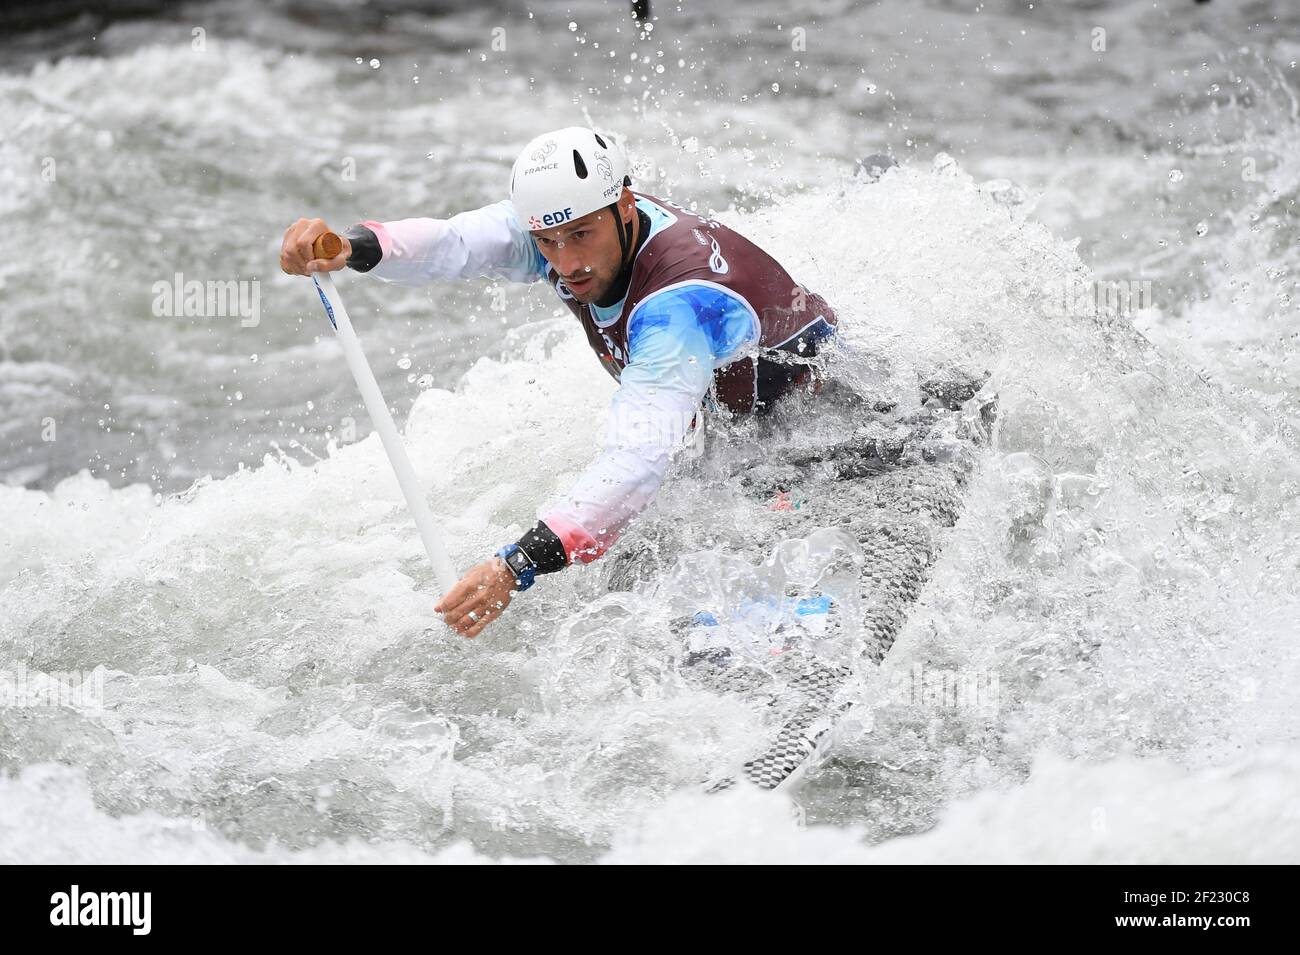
[681, 310]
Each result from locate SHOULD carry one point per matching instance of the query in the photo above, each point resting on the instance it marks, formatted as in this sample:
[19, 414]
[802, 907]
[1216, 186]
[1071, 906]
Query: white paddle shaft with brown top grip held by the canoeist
[327, 248]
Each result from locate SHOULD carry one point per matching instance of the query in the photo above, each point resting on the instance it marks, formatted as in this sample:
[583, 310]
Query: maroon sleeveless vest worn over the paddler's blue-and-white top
[791, 319]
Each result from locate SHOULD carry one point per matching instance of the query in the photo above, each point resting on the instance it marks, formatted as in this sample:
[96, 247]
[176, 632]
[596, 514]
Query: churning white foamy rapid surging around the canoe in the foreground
[279, 689]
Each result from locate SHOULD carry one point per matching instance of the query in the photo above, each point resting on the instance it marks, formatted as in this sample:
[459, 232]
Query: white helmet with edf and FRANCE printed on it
[566, 175]
